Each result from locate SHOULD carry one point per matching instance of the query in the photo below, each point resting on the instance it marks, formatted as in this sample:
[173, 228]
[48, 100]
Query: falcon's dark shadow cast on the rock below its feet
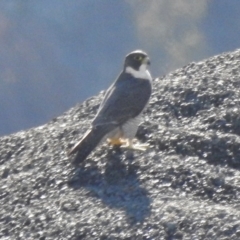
[117, 186]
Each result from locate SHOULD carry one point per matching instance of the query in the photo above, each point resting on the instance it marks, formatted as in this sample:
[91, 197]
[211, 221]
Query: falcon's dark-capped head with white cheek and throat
[136, 63]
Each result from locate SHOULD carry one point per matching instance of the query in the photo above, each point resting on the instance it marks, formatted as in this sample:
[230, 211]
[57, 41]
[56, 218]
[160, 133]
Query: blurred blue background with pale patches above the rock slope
[56, 53]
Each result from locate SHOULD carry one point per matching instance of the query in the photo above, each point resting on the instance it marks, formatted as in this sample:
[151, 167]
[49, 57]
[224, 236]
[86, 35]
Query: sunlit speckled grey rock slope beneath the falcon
[185, 186]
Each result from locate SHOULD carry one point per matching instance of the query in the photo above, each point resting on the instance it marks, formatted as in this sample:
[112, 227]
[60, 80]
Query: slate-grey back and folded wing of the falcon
[124, 100]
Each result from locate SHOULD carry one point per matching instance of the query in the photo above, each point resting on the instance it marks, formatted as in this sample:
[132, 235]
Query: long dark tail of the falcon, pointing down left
[85, 146]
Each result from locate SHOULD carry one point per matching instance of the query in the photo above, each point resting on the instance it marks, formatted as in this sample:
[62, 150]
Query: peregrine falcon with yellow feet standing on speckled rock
[119, 113]
